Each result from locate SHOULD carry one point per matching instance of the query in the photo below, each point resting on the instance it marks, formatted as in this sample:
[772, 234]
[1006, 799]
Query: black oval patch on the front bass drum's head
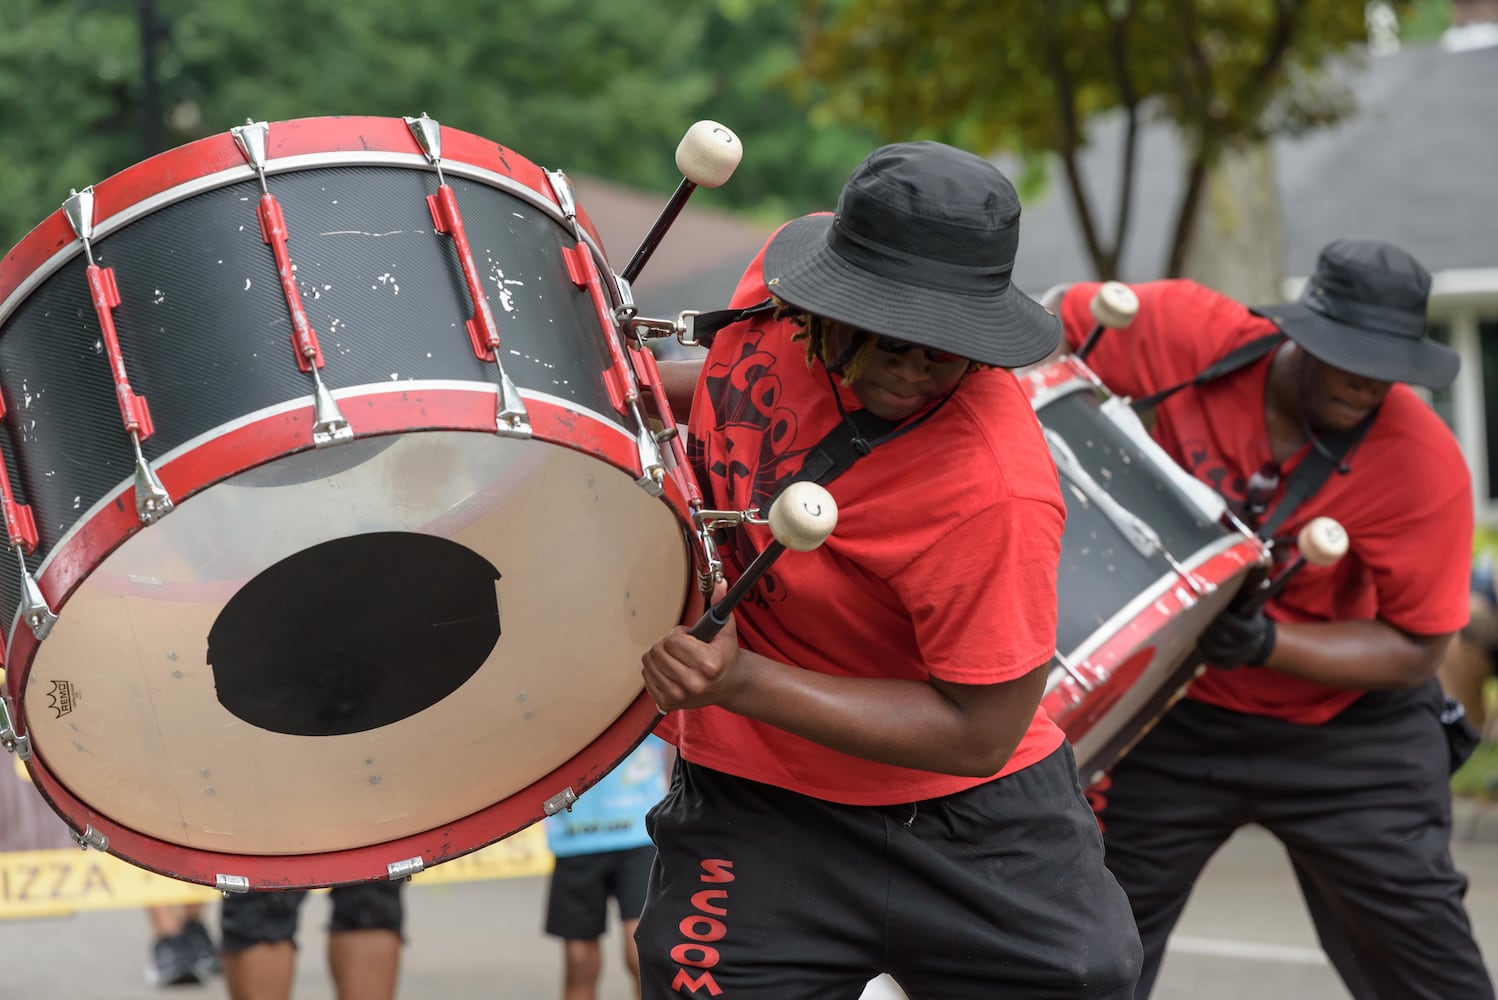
[354, 634]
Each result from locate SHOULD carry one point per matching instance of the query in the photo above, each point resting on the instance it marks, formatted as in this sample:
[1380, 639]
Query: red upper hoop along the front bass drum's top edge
[294, 144]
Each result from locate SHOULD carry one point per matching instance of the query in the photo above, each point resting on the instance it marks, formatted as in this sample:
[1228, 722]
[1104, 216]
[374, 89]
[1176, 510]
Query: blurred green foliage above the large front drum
[600, 89]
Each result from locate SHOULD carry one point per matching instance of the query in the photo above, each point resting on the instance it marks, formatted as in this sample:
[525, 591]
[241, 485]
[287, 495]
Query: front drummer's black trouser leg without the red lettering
[1001, 891]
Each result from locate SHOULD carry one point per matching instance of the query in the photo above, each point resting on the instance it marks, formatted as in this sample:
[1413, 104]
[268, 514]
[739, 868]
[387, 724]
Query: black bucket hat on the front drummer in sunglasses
[921, 249]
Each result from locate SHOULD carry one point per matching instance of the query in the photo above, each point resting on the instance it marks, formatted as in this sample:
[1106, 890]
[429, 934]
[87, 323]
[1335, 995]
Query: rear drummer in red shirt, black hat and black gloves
[1320, 718]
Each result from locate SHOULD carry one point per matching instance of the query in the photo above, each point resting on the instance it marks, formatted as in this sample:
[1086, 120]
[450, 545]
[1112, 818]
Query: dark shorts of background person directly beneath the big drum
[267, 918]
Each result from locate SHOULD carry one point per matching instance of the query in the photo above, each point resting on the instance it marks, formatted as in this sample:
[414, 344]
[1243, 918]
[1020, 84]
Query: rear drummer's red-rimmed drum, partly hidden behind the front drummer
[1150, 558]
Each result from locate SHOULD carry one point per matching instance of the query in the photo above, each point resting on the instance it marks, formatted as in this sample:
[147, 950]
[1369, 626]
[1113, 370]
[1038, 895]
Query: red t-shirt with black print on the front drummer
[943, 564]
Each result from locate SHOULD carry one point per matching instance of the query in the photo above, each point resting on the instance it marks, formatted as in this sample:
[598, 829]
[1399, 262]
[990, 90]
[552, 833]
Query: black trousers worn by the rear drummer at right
[1364, 808]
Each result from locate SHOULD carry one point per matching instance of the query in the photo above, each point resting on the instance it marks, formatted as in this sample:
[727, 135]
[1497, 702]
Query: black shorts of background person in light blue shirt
[577, 900]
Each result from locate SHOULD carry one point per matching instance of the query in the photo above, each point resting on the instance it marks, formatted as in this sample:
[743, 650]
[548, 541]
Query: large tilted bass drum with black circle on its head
[348, 526]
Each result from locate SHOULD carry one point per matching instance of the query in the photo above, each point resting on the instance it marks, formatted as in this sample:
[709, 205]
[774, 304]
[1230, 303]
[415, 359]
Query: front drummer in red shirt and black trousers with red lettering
[867, 784]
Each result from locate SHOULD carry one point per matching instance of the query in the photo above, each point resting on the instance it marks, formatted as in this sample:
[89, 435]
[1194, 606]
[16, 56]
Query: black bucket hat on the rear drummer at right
[1364, 312]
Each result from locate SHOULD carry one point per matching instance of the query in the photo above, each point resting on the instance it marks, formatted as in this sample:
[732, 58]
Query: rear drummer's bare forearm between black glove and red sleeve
[1356, 655]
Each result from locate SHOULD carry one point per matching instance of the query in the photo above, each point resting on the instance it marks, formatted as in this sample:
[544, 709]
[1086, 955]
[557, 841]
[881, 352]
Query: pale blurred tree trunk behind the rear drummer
[1238, 239]
